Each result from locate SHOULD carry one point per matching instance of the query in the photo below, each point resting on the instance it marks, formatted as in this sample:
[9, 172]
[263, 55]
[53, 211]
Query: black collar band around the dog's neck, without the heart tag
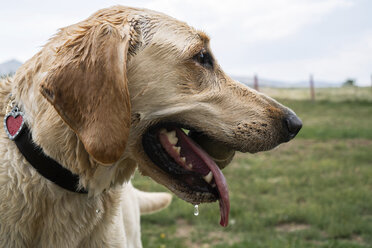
[46, 166]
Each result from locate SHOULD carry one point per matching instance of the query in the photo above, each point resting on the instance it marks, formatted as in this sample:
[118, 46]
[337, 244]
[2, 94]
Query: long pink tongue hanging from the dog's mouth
[202, 163]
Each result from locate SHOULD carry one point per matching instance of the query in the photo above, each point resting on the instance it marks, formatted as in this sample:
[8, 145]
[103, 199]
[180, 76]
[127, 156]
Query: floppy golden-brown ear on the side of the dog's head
[88, 87]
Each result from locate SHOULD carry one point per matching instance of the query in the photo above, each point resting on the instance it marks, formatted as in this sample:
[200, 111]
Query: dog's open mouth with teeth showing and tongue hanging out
[194, 160]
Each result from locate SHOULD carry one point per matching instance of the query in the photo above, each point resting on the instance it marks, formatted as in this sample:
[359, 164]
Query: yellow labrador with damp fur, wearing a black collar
[125, 88]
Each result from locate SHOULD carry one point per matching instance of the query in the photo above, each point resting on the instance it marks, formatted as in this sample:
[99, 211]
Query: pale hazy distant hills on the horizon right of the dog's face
[263, 82]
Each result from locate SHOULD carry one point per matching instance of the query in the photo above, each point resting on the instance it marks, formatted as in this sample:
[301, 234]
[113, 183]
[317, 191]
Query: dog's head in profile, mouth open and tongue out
[138, 84]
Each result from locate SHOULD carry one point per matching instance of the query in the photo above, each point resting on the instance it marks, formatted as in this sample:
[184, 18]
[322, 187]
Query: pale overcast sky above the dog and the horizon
[278, 39]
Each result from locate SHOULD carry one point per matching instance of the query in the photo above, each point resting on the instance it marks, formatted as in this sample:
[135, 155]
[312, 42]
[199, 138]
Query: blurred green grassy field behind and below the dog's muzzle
[315, 191]
